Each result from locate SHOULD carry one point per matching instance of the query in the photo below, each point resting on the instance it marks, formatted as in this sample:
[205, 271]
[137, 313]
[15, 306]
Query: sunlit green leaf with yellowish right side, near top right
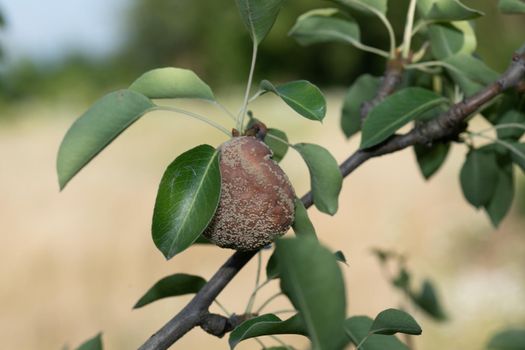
[448, 39]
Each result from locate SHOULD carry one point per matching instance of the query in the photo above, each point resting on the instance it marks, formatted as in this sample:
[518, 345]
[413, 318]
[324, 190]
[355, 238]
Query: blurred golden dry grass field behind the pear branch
[74, 263]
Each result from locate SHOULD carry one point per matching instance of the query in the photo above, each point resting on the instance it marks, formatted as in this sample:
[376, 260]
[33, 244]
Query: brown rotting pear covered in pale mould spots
[257, 199]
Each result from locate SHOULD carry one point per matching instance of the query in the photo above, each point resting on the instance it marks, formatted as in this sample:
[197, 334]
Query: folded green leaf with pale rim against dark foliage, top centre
[325, 25]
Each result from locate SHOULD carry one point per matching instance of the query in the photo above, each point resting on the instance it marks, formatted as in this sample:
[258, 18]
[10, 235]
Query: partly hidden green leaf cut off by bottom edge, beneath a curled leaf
[357, 328]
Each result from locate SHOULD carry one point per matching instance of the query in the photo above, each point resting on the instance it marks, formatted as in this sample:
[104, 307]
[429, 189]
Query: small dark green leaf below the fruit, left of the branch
[171, 286]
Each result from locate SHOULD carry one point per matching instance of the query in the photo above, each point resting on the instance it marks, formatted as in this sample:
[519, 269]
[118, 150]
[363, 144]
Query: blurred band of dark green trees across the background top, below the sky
[207, 36]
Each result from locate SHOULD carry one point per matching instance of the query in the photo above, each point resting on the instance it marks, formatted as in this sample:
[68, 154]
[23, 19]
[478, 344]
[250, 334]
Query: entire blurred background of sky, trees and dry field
[74, 263]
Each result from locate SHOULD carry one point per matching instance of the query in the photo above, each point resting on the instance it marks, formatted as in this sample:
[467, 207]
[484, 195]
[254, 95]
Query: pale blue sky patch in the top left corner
[46, 29]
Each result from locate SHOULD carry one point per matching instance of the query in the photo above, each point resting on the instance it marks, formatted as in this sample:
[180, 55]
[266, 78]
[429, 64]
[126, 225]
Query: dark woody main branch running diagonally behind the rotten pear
[446, 126]
